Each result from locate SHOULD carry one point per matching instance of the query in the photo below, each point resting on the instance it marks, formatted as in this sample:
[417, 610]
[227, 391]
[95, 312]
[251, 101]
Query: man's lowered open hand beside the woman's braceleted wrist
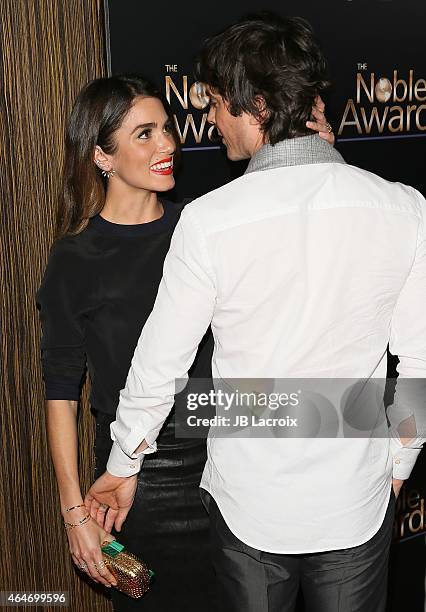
[109, 500]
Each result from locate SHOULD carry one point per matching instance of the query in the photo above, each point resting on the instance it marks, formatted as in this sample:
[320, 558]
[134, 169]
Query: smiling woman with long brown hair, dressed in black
[98, 290]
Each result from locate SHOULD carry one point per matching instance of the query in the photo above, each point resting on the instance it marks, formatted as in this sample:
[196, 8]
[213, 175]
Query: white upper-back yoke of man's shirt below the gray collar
[287, 188]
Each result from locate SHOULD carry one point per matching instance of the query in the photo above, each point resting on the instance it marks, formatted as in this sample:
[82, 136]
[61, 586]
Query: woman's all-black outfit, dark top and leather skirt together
[98, 290]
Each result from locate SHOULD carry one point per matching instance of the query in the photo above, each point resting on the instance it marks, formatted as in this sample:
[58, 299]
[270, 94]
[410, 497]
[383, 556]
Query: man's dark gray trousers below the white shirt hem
[347, 580]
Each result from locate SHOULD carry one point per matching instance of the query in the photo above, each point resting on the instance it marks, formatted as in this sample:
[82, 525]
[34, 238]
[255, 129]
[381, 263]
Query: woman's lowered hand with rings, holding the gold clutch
[85, 548]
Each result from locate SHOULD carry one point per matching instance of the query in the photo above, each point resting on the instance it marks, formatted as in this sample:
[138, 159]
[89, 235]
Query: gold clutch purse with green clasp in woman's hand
[132, 575]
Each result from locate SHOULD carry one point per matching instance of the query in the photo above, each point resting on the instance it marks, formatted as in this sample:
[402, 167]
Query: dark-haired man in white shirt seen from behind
[306, 268]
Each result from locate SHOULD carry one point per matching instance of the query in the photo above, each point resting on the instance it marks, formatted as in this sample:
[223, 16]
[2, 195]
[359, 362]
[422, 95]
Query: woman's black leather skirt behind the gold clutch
[167, 526]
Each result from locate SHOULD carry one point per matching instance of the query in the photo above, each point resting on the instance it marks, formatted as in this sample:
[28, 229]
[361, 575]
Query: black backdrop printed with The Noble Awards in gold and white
[376, 104]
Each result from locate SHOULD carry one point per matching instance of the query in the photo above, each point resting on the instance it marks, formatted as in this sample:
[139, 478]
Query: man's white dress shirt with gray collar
[304, 267]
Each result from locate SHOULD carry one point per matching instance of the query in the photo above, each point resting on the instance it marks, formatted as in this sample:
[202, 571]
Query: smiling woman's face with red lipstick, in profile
[145, 147]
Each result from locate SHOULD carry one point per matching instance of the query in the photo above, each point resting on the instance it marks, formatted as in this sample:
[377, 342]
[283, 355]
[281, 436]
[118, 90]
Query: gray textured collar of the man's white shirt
[294, 152]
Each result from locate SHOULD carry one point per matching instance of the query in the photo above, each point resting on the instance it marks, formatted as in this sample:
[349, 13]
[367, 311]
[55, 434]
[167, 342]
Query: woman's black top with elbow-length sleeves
[97, 292]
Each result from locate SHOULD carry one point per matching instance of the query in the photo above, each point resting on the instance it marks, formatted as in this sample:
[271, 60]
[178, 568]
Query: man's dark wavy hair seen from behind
[267, 56]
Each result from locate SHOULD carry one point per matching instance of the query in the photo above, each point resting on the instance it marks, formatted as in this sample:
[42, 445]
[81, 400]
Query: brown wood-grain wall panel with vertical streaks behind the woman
[49, 50]
